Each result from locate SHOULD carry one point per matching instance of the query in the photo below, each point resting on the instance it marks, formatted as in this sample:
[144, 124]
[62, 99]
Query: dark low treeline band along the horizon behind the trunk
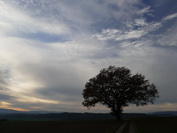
[65, 116]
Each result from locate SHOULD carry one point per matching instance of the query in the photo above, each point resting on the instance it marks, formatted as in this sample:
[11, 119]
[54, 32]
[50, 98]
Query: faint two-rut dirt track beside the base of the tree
[132, 128]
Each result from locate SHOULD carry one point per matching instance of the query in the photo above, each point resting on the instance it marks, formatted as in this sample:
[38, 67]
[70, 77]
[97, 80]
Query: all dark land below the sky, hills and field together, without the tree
[47, 122]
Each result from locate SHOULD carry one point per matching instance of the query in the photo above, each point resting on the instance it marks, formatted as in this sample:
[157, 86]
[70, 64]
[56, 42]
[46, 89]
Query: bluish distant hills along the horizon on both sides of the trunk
[8, 114]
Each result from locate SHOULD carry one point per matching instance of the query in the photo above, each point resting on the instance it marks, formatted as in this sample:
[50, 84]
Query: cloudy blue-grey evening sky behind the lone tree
[49, 49]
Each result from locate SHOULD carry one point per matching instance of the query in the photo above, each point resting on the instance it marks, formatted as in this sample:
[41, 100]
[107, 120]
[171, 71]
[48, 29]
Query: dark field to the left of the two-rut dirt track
[106, 126]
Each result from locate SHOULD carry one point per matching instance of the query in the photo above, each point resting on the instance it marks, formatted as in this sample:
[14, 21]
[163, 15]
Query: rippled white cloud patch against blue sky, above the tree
[133, 30]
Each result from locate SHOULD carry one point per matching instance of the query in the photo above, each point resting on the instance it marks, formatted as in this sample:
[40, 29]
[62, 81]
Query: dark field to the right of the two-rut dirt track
[157, 125]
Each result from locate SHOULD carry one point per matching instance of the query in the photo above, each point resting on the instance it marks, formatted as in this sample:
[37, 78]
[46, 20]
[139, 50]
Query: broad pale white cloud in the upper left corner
[14, 22]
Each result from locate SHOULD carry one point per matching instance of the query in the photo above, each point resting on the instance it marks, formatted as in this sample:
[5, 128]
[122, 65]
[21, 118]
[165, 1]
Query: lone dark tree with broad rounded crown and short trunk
[116, 87]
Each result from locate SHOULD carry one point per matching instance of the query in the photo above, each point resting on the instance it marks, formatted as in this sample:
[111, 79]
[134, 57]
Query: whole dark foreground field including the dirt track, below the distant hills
[137, 125]
